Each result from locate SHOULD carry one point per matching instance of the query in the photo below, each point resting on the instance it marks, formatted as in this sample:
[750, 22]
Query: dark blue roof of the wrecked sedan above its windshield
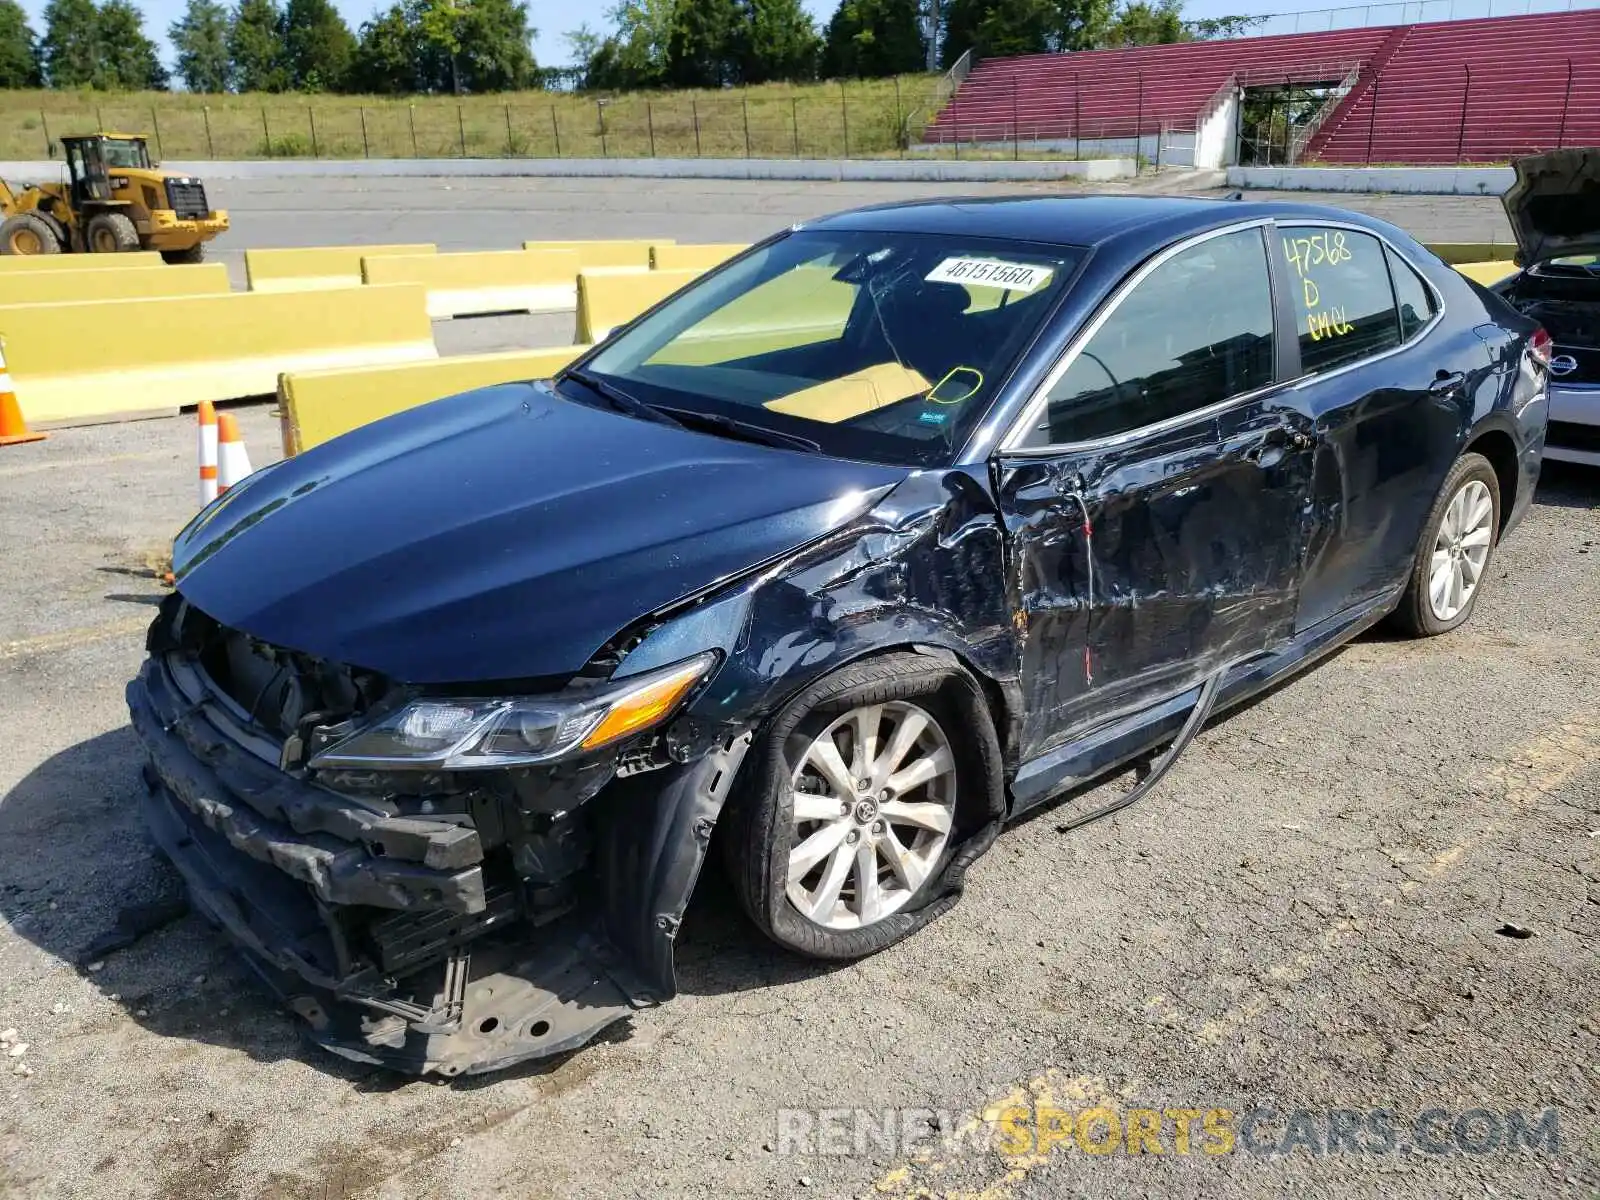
[1078, 220]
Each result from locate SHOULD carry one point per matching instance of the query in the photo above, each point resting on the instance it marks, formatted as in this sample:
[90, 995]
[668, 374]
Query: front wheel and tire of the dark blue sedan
[850, 807]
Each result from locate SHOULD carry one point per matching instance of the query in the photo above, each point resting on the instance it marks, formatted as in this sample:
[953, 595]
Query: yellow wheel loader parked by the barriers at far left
[113, 199]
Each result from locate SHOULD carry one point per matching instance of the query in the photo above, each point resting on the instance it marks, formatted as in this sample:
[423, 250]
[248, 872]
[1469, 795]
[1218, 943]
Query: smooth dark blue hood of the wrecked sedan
[500, 535]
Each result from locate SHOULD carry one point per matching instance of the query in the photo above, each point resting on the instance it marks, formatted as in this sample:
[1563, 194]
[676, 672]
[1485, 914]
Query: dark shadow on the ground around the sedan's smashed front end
[74, 858]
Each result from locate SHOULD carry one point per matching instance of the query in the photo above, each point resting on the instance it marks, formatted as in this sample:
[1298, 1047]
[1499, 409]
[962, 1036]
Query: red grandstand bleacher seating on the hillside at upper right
[1417, 76]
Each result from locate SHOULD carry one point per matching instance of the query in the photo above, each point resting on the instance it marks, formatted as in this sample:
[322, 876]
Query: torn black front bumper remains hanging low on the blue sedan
[386, 935]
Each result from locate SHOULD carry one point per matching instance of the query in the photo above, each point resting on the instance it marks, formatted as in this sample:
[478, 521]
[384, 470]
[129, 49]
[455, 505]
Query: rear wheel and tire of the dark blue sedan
[1455, 551]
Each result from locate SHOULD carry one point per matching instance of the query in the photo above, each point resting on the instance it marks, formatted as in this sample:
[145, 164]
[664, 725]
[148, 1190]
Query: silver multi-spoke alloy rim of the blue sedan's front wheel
[874, 801]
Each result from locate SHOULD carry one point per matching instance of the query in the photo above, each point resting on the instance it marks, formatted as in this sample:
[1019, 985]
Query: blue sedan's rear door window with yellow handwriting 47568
[1345, 308]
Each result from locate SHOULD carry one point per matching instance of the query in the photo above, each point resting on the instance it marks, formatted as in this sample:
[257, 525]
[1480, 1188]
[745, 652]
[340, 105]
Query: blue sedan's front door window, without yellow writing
[1193, 334]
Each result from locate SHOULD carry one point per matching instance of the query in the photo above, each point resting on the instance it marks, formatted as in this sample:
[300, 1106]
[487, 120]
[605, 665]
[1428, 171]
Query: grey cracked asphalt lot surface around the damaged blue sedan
[1314, 911]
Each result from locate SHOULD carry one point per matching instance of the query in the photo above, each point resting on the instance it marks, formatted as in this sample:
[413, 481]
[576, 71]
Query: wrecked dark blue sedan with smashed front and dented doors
[886, 532]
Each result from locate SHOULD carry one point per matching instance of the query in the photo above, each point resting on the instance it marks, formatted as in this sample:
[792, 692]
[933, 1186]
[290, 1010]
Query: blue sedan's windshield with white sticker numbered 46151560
[886, 348]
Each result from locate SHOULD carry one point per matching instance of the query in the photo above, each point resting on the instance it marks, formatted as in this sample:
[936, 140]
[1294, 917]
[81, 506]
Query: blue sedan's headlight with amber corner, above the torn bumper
[463, 735]
